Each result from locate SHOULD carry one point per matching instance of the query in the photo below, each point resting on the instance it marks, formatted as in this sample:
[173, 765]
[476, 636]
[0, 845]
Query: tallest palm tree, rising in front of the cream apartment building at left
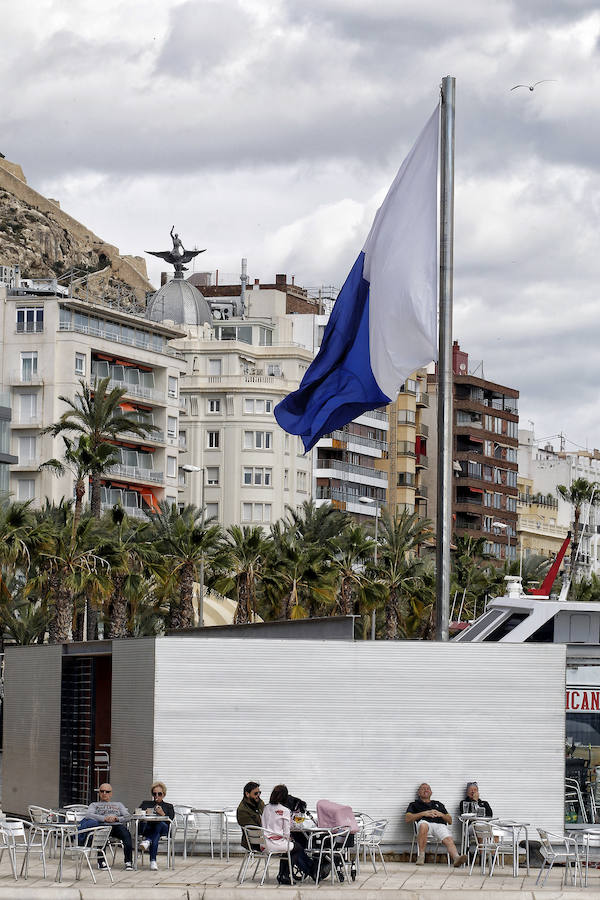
[96, 413]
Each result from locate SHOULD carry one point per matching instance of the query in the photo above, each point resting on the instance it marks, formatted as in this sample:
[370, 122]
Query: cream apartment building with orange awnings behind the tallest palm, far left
[51, 342]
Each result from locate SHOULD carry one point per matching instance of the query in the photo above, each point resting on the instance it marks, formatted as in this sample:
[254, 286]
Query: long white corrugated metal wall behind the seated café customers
[363, 723]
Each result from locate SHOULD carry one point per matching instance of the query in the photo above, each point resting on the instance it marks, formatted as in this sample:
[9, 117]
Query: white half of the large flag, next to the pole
[401, 266]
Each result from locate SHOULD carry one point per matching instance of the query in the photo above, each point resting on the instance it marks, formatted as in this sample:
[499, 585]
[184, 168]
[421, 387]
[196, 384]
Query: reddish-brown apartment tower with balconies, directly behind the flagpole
[484, 453]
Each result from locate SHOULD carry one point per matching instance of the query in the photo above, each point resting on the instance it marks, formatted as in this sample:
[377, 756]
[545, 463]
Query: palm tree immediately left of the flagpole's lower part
[399, 567]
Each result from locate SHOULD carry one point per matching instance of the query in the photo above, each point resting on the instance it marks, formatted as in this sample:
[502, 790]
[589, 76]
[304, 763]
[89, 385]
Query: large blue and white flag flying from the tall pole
[384, 322]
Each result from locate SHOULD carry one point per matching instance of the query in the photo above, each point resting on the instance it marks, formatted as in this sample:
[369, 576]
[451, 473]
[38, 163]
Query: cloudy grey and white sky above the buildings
[272, 129]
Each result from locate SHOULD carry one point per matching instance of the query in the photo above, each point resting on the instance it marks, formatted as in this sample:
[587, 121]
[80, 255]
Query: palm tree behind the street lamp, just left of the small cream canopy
[183, 541]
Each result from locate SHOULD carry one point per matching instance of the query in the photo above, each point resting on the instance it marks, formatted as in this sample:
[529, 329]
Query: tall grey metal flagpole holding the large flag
[444, 420]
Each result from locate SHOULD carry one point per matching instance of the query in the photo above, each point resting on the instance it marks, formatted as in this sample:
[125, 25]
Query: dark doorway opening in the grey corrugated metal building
[85, 727]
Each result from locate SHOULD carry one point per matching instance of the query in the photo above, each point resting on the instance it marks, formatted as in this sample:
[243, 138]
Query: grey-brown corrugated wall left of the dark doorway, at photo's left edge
[31, 757]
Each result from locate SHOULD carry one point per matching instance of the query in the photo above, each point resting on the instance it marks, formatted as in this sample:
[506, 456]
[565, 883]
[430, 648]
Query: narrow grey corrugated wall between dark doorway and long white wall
[132, 720]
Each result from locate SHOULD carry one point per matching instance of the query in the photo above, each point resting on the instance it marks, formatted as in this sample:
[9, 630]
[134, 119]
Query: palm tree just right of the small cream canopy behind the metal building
[239, 566]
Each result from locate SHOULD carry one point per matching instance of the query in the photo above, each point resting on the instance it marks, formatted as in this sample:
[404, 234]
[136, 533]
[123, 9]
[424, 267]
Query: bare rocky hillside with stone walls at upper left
[44, 241]
